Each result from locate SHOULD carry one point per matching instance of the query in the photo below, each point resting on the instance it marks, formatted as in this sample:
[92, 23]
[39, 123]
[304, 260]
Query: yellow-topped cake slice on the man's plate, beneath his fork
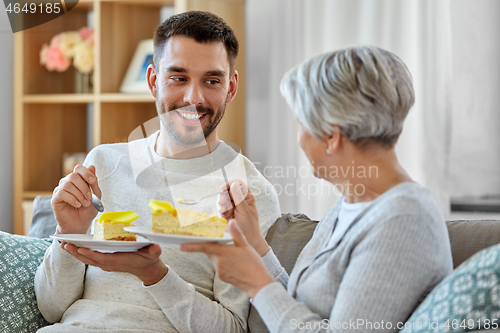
[110, 226]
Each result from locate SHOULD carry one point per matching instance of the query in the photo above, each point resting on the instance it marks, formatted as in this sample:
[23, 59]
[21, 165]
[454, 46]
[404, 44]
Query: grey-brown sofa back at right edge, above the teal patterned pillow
[470, 236]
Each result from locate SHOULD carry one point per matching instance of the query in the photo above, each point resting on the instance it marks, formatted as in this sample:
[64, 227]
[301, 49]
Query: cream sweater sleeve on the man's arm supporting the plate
[192, 312]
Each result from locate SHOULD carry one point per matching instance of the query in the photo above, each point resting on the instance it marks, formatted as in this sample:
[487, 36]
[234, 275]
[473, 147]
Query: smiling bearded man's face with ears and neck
[195, 79]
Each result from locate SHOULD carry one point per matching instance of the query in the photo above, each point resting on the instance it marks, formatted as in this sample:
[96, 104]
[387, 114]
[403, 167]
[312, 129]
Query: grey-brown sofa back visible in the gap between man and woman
[289, 234]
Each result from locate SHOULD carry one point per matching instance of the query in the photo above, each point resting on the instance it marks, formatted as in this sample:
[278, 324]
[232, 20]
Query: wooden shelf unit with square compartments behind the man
[50, 119]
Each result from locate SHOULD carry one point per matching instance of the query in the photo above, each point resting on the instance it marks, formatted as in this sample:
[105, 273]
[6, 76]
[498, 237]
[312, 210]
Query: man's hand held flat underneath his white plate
[144, 263]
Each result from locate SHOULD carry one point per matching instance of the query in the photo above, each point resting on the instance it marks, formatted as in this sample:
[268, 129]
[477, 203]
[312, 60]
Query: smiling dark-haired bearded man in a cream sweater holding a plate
[157, 288]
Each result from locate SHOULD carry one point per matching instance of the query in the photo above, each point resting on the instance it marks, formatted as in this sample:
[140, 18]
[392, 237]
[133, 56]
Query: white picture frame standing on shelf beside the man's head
[135, 81]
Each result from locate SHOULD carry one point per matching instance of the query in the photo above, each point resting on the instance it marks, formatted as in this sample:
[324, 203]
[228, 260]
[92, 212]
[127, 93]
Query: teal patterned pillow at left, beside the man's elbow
[20, 257]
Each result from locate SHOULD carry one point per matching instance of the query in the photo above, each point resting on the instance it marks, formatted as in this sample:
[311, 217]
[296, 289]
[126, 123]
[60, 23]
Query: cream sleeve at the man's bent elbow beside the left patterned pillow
[58, 282]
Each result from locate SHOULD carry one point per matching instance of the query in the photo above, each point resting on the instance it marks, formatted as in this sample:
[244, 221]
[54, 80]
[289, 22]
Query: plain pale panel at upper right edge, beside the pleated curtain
[475, 150]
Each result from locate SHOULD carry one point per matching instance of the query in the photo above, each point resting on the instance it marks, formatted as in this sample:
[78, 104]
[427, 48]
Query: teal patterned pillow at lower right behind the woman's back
[466, 300]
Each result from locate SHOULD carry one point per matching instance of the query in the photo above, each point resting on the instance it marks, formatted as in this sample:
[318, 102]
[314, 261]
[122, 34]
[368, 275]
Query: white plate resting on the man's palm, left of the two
[81, 240]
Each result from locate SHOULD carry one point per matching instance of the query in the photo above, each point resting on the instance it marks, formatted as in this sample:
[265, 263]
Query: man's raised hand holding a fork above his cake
[71, 200]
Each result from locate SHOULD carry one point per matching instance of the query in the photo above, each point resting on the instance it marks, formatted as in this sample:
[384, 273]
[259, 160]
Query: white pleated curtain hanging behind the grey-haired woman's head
[418, 31]
